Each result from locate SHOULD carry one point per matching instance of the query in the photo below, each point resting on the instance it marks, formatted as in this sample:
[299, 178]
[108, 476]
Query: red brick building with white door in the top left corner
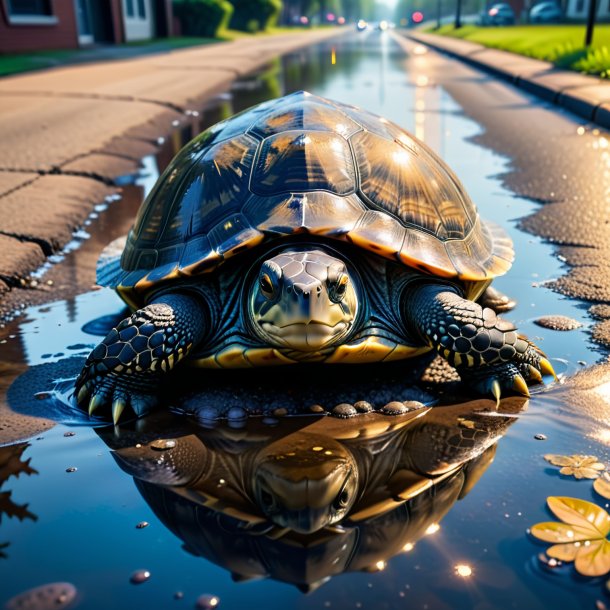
[34, 25]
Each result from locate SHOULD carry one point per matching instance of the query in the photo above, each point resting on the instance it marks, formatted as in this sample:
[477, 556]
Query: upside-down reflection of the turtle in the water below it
[313, 497]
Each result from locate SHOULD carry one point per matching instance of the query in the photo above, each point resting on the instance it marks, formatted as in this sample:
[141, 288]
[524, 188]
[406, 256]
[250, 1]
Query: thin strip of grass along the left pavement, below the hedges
[25, 62]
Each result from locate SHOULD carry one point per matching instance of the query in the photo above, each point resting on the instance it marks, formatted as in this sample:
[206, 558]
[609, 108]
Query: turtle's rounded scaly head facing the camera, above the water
[304, 299]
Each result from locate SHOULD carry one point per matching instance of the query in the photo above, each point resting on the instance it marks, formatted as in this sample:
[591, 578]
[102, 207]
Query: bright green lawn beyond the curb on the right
[562, 45]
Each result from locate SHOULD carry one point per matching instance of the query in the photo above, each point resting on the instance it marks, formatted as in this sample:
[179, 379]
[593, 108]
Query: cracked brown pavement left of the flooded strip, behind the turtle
[67, 133]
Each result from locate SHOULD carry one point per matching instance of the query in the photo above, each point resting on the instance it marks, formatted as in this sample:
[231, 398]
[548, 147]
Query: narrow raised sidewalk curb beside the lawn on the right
[586, 96]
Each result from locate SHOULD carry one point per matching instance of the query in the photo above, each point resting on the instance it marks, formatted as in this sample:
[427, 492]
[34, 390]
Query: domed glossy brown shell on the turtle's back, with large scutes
[305, 164]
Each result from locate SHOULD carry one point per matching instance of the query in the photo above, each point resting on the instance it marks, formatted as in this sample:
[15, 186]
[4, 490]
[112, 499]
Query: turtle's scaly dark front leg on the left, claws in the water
[127, 367]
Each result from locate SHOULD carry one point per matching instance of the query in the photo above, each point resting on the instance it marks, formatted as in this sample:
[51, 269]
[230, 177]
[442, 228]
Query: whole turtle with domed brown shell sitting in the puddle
[302, 231]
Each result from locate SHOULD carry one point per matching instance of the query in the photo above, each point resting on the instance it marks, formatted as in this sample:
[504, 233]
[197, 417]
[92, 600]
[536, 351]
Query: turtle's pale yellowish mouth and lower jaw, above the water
[306, 336]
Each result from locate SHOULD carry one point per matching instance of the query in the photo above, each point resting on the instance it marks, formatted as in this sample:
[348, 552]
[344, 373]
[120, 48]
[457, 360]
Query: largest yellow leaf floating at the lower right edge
[579, 537]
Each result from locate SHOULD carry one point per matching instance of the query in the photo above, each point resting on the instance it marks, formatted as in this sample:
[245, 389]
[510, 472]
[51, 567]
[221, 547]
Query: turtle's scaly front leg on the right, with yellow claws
[486, 350]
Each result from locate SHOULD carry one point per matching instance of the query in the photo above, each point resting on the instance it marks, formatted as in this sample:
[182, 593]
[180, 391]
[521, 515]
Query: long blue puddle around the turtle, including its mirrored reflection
[425, 525]
